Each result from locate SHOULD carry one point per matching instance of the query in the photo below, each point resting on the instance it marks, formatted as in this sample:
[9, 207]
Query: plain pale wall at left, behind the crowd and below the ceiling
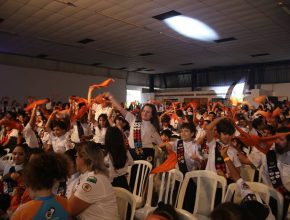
[20, 82]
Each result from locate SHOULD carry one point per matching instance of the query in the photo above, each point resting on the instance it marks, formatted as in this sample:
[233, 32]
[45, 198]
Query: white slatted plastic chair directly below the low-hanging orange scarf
[166, 191]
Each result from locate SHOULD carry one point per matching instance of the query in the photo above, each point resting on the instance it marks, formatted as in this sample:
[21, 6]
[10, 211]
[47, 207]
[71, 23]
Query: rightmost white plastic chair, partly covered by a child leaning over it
[263, 190]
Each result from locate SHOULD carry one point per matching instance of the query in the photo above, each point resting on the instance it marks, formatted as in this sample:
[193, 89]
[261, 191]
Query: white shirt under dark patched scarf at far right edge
[283, 163]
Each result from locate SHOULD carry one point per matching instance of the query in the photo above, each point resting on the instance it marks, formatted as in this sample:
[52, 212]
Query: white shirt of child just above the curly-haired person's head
[60, 144]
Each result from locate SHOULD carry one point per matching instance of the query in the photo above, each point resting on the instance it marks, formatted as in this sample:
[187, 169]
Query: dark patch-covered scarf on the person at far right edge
[274, 174]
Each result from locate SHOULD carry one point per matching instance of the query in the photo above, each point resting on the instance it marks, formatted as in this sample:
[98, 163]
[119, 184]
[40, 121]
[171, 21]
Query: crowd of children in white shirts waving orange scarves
[67, 156]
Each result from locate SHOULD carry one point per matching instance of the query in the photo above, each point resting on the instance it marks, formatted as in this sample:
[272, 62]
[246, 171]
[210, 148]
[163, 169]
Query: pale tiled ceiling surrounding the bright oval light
[123, 29]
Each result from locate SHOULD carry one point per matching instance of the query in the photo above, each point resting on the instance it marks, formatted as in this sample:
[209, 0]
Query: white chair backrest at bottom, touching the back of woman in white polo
[124, 197]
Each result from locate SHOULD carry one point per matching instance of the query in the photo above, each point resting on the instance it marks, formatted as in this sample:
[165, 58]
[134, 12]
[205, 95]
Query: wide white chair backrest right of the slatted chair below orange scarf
[207, 183]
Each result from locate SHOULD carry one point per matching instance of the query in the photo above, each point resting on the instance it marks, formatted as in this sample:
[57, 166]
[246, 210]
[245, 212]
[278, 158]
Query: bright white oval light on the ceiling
[191, 28]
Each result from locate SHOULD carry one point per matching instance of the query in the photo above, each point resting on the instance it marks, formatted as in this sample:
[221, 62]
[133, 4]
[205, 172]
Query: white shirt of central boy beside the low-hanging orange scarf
[190, 148]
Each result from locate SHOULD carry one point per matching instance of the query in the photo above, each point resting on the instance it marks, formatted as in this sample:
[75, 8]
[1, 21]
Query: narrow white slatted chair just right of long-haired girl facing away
[142, 174]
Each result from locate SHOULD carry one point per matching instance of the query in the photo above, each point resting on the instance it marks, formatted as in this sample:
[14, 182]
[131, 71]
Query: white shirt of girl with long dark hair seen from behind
[120, 172]
